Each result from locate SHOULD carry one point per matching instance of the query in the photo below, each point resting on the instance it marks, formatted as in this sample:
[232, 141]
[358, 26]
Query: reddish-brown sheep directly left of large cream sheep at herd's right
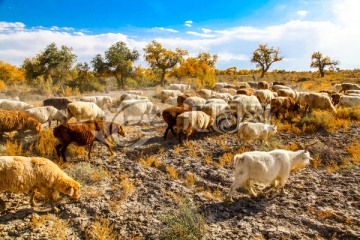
[282, 105]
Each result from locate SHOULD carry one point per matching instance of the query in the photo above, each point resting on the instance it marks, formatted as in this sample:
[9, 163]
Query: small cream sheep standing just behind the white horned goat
[249, 131]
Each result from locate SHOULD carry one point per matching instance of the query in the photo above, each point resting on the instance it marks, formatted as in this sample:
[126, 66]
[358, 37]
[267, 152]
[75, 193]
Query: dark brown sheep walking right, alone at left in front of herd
[84, 134]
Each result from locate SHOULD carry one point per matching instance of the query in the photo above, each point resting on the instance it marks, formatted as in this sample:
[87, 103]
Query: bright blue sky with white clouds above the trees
[232, 29]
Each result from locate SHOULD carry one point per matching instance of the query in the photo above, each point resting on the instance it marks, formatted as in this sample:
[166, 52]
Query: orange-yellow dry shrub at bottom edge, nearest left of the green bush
[101, 229]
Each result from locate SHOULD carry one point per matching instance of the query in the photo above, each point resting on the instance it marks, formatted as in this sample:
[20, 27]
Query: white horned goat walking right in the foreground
[266, 167]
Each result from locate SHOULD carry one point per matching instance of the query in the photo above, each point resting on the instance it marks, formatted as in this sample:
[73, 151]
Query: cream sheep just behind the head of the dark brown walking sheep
[138, 107]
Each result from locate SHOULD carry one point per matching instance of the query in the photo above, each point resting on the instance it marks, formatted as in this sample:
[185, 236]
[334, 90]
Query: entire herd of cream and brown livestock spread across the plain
[226, 108]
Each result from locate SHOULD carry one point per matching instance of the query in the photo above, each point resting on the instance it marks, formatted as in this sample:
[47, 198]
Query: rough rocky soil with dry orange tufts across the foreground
[128, 196]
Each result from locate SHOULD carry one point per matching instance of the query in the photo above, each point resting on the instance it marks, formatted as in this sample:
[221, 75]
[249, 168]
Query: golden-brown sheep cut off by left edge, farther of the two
[18, 121]
